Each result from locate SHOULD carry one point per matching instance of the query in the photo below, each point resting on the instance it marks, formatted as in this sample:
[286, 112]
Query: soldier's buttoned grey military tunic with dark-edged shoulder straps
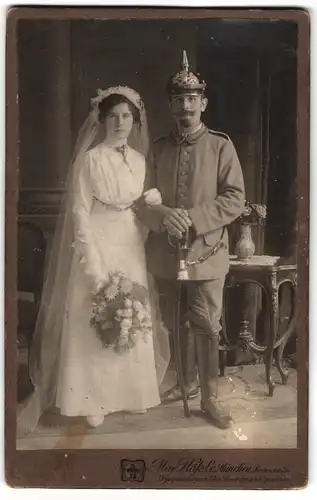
[200, 172]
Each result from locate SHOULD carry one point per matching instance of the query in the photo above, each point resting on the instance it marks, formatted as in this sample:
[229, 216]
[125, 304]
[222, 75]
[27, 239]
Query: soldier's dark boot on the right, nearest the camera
[208, 368]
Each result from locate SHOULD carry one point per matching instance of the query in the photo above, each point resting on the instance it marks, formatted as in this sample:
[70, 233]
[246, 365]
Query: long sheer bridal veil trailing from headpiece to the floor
[45, 350]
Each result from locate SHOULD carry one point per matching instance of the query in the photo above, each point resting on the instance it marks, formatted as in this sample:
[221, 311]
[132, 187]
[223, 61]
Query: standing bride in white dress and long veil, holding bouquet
[99, 345]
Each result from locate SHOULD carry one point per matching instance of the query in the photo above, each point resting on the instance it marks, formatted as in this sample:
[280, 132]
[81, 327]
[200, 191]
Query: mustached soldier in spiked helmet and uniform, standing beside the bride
[198, 174]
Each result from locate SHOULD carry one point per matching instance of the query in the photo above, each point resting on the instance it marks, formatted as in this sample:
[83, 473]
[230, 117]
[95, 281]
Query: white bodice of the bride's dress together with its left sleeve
[105, 175]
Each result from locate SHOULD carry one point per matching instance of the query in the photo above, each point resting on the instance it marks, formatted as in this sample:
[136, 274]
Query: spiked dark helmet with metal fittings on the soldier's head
[185, 81]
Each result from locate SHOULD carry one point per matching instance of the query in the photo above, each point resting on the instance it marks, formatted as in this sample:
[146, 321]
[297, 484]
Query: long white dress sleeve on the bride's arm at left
[82, 205]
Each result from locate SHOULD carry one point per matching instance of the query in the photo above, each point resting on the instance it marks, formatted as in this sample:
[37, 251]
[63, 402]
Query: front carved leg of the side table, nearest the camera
[272, 332]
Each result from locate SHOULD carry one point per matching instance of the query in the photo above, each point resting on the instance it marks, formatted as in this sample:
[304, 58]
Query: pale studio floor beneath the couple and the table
[259, 421]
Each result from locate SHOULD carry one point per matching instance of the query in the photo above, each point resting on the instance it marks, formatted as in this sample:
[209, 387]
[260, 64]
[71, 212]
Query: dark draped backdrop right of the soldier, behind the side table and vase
[250, 101]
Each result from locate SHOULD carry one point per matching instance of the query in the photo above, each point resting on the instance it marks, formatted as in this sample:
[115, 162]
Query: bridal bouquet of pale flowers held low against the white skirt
[121, 313]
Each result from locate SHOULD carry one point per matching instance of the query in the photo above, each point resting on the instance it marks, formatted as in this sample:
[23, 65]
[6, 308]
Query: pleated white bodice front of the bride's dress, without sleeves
[116, 180]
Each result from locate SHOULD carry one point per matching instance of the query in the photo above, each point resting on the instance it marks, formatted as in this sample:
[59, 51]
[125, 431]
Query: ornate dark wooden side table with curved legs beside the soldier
[269, 274]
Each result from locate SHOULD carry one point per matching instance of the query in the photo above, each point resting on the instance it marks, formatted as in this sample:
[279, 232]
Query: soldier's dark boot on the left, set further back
[188, 353]
